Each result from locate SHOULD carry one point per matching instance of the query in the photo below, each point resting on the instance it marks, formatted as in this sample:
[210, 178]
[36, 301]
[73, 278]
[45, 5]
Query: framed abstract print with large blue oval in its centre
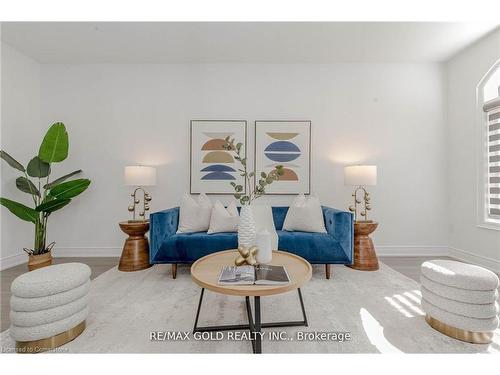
[286, 143]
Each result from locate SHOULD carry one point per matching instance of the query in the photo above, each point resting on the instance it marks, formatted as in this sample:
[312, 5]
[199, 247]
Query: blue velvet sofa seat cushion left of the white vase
[188, 247]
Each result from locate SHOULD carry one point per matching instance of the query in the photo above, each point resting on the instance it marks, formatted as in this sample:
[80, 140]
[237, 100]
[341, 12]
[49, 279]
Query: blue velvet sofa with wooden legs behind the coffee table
[333, 247]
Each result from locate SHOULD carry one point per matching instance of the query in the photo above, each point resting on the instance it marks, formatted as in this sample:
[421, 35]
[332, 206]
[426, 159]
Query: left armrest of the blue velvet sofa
[162, 225]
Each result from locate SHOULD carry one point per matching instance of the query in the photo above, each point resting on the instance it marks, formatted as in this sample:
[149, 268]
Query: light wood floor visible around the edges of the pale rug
[408, 266]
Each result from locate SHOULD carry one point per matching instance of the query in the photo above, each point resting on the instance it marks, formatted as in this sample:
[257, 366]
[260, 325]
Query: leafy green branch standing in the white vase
[264, 180]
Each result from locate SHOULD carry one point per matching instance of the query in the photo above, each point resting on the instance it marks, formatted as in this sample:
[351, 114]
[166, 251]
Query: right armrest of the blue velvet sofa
[340, 225]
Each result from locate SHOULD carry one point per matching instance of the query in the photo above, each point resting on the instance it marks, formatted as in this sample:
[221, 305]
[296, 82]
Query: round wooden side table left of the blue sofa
[135, 254]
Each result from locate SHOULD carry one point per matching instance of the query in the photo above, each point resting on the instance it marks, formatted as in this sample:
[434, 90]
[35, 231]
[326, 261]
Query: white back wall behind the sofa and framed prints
[391, 115]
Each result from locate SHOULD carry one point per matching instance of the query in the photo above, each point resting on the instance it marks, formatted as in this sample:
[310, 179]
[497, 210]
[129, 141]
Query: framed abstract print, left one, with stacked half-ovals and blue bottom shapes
[212, 167]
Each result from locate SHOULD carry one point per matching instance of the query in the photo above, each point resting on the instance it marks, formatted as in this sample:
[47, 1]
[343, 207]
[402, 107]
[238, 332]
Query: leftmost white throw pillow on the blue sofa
[194, 215]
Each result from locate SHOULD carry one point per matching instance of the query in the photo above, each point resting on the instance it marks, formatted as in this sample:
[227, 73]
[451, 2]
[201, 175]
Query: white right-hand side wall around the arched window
[464, 72]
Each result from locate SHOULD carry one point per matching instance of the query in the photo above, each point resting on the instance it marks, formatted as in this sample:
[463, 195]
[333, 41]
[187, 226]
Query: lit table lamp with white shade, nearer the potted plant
[139, 176]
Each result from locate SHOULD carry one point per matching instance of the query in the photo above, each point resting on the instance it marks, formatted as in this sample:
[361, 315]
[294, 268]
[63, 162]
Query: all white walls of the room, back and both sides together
[388, 114]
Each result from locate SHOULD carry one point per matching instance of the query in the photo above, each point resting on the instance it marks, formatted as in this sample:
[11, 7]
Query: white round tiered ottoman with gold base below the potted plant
[49, 306]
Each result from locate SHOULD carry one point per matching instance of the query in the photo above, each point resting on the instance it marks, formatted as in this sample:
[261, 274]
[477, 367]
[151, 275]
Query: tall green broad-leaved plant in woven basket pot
[48, 196]
